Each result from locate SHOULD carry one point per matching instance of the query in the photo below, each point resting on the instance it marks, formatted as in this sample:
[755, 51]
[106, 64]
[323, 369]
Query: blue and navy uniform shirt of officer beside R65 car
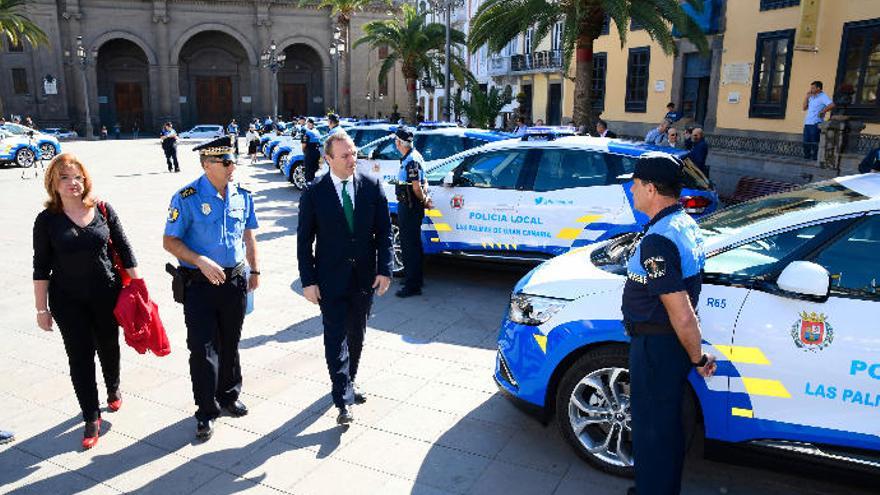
[668, 259]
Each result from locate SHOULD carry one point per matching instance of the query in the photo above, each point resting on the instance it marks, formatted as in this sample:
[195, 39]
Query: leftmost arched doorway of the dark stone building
[123, 85]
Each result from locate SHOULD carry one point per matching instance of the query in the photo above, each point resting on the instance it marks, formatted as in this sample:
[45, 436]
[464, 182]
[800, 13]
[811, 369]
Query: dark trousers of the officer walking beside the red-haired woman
[214, 315]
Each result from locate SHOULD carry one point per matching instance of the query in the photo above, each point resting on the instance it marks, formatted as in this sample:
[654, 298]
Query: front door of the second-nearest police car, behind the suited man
[479, 211]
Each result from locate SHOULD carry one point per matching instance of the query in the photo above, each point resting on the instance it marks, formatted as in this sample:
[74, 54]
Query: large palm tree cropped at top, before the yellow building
[499, 21]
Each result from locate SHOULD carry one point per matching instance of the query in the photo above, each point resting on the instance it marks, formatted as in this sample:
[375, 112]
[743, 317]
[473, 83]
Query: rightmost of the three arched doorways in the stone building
[301, 82]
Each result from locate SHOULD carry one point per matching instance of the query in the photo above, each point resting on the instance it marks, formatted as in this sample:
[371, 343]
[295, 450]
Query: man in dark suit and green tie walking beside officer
[345, 216]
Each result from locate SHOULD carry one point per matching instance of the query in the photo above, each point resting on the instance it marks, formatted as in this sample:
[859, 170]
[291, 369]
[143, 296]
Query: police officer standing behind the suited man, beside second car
[412, 199]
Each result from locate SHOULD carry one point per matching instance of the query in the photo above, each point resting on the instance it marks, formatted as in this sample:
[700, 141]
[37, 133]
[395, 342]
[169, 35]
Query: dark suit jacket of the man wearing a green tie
[338, 255]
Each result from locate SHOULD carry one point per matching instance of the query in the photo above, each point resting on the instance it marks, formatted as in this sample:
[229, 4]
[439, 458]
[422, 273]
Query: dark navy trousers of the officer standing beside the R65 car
[659, 367]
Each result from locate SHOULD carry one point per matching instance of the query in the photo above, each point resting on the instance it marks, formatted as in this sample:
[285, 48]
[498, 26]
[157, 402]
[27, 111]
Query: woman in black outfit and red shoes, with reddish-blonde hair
[75, 283]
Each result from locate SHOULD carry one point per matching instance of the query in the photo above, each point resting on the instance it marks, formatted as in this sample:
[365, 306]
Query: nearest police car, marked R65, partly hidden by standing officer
[788, 305]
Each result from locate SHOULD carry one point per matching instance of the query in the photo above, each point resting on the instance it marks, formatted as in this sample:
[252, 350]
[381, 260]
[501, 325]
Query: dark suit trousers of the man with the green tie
[345, 323]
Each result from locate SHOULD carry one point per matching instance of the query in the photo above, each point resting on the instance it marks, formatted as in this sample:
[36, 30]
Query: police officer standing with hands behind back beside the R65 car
[661, 292]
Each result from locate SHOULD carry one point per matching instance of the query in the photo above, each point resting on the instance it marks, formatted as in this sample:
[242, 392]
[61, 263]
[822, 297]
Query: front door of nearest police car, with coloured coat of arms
[803, 366]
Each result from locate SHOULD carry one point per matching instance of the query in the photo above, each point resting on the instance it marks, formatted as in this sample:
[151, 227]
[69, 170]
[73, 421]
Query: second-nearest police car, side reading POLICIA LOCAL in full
[539, 196]
